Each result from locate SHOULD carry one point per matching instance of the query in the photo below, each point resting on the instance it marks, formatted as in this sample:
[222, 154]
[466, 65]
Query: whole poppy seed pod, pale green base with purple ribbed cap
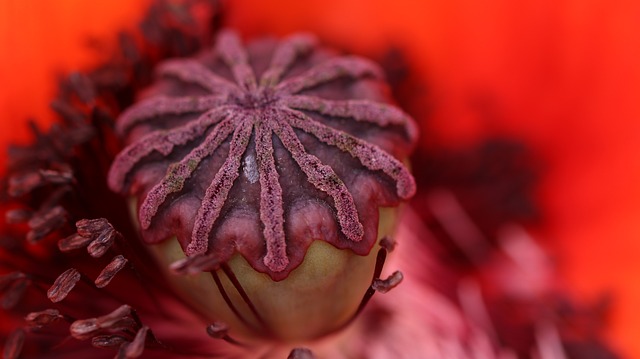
[268, 173]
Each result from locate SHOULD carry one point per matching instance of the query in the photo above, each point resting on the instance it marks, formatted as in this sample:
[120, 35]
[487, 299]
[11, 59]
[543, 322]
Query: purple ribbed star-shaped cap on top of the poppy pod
[260, 150]
